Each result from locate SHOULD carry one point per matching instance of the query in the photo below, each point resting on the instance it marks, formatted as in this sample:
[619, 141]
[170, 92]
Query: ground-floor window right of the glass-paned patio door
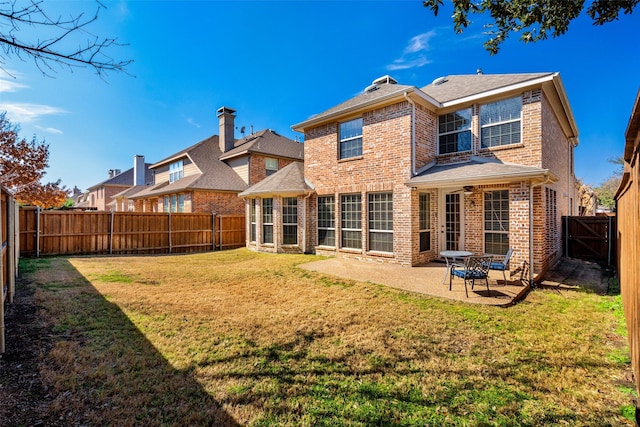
[496, 222]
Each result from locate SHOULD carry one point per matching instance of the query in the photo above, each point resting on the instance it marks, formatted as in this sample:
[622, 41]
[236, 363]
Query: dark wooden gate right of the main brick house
[592, 238]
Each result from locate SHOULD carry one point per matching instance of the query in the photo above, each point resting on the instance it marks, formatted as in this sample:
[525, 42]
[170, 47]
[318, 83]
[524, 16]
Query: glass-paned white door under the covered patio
[451, 220]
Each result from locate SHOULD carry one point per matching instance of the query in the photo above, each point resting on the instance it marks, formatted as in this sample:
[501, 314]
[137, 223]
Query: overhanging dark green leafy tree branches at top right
[533, 19]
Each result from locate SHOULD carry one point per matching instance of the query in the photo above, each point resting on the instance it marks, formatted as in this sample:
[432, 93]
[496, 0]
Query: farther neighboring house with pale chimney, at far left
[101, 196]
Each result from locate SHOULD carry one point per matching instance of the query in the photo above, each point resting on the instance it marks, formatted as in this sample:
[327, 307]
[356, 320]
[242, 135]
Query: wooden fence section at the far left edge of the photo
[9, 258]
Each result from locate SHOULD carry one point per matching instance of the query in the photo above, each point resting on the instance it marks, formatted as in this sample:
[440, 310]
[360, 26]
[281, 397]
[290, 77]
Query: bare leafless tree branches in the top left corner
[53, 41]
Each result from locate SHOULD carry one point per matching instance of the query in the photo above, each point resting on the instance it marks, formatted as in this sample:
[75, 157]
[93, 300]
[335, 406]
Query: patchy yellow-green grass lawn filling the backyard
[242, 338]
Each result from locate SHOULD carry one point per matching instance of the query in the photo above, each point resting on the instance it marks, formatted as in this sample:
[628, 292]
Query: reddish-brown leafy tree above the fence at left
[22, 166]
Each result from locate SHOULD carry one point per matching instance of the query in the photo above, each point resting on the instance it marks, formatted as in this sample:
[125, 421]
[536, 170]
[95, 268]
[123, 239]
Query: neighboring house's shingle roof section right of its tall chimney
[266, 142]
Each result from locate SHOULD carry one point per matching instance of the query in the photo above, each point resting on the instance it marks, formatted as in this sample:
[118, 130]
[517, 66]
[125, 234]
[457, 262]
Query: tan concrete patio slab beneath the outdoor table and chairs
[425, 279]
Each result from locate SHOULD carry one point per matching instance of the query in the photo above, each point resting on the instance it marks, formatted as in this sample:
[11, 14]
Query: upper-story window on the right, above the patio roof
[500, 123]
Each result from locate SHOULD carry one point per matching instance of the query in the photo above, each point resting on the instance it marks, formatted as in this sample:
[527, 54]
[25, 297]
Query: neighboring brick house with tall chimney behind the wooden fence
[208, 176]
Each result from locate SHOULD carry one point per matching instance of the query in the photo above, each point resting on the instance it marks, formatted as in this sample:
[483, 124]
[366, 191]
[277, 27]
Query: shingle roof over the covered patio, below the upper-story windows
[476, 171]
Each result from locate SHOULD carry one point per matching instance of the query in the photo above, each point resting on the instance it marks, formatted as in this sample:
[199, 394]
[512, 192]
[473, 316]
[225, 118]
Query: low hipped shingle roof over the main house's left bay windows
[287, 181]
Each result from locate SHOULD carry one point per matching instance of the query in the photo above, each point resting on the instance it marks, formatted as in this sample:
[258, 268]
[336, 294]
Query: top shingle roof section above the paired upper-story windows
[460, 86]
